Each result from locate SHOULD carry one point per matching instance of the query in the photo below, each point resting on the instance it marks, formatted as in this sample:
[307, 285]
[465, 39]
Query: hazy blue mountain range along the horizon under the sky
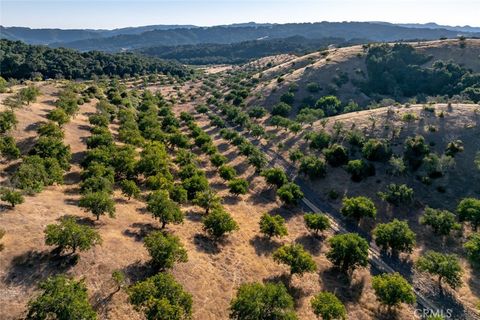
[133, 38]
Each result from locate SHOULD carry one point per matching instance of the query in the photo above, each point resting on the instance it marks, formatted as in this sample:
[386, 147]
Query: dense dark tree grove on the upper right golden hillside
[398, 70]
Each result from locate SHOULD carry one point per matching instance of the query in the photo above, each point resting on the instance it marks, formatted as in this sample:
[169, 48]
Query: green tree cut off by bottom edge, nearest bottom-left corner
[63, 299]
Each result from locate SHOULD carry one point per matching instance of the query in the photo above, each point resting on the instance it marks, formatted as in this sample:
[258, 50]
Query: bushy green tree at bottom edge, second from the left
[161, 298]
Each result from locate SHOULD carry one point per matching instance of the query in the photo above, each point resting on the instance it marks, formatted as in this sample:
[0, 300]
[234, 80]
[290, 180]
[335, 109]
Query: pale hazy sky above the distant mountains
[120, 13]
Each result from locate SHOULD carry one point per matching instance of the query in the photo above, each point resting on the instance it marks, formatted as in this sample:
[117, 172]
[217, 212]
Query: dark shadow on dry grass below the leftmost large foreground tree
[31, 267]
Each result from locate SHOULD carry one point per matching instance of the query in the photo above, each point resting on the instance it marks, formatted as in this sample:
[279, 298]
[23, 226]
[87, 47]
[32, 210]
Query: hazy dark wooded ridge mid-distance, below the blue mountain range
[241, 52]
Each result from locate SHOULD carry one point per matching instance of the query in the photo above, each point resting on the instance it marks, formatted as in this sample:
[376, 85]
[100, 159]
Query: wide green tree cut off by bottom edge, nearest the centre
[258, 301]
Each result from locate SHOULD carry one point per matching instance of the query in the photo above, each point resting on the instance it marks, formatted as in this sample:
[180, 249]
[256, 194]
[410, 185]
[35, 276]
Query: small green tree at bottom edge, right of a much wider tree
[328, 306]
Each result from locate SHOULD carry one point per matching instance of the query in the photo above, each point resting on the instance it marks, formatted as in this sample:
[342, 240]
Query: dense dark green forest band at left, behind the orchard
[22, 61]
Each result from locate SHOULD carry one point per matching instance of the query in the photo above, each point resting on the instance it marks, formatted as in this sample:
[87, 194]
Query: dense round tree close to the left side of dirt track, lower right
[348, 251]
